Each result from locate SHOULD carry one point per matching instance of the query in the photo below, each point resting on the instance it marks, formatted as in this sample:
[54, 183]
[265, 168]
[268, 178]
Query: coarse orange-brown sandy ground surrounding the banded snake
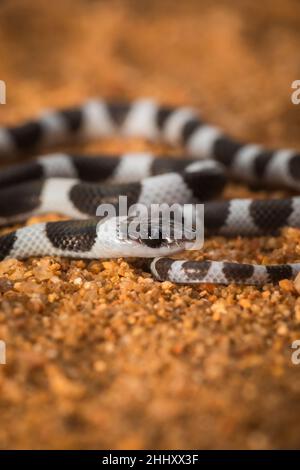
[98, 354]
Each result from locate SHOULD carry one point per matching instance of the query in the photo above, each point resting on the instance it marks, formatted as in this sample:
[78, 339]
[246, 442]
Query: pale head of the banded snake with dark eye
[143, 237]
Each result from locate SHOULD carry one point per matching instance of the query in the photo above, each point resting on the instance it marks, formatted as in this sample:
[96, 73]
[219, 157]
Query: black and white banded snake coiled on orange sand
[76, 185]
